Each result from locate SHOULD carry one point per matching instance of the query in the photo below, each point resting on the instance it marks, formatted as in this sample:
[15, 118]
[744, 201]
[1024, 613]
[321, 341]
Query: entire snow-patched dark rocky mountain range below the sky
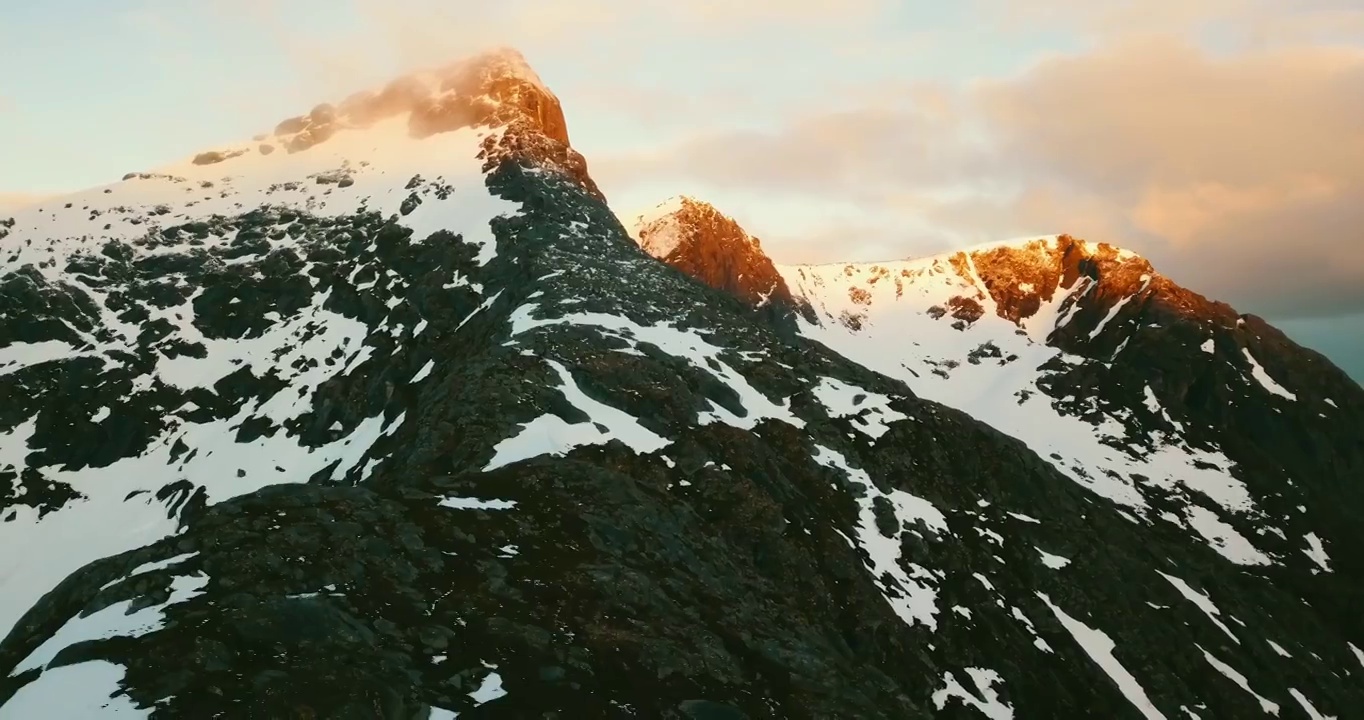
[385, 415]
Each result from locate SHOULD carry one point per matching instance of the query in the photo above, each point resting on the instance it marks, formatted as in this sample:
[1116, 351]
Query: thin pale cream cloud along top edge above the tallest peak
[380, 39]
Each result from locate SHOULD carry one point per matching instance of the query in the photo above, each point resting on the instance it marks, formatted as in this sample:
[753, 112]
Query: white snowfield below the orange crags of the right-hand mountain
[932, 324]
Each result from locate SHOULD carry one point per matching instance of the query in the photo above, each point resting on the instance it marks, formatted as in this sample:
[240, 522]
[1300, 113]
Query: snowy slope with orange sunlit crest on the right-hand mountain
[995, 350]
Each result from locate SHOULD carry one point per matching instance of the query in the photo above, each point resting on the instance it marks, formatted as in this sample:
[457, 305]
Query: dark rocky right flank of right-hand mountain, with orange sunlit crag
[1223, 376]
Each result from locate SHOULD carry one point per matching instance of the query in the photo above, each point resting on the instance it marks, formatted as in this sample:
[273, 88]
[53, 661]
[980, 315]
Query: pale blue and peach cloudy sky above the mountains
[1219, 138]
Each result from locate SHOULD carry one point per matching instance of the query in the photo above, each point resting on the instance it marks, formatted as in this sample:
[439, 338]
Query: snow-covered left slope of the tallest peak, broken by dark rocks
[72, 242]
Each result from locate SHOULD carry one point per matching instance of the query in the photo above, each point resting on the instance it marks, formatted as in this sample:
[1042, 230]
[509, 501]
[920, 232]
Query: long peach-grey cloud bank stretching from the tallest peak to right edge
[1238, 174]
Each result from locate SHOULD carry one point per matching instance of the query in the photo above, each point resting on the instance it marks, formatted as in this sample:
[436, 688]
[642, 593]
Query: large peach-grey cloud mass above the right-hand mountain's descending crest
[1241, 172]
